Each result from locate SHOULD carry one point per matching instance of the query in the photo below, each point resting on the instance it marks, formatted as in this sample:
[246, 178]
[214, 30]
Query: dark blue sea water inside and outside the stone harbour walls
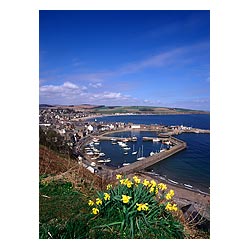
[189, 168]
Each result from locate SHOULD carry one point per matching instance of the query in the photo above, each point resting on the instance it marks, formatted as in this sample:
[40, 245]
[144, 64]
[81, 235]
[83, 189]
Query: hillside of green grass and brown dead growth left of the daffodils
[64, 191]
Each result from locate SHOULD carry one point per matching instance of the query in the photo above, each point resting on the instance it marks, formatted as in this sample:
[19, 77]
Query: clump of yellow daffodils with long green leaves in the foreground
[133, 205]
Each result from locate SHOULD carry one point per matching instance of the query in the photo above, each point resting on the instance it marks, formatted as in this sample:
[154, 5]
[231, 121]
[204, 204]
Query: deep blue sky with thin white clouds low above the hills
[150, 58]
